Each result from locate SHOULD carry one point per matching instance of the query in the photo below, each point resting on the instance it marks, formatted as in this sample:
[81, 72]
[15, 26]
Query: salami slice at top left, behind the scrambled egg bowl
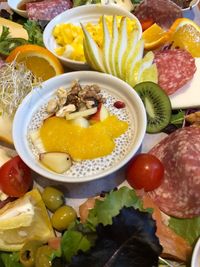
[47, 10]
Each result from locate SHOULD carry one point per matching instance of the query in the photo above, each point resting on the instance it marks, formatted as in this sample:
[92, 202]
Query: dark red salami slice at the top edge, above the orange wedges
[163, 12]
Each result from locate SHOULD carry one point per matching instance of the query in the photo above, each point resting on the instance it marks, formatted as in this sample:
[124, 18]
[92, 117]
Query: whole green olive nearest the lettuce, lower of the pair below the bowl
[62, 218]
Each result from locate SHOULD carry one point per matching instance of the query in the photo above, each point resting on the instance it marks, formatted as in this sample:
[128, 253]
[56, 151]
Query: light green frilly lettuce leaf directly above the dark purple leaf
[111, 205]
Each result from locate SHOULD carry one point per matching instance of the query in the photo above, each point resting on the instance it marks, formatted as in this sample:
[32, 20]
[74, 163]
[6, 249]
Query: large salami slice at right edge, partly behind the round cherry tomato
[178, 195]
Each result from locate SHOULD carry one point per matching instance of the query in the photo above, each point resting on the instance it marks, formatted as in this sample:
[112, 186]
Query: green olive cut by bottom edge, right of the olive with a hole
[43, 256]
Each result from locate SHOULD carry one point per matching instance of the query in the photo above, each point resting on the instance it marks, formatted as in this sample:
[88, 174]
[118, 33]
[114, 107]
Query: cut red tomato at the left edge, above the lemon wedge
[15, 177]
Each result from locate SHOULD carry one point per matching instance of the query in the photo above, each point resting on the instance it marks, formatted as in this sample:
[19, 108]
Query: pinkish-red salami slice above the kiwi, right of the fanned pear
[175, 68]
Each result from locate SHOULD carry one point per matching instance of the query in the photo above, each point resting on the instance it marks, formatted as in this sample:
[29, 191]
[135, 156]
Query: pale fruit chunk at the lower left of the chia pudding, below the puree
[58, 162]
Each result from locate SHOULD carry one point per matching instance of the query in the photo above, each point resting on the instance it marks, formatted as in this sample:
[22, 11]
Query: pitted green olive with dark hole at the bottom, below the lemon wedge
[28, 252]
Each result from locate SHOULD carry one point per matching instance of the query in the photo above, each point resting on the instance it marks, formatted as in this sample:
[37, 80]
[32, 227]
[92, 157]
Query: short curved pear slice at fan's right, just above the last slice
[140, 66]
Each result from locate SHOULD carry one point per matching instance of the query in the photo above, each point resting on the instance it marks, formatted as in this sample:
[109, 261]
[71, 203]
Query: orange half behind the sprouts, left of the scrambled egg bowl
[39, 60]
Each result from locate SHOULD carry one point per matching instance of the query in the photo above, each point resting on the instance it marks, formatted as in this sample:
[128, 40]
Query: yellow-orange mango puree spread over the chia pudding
[58, 134]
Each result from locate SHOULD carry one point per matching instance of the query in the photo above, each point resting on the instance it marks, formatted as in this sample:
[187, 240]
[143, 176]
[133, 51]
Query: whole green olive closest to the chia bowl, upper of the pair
[53, 198]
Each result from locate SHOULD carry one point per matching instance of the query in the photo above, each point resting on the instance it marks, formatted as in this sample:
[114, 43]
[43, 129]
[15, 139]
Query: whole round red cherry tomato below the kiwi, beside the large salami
[145, 171]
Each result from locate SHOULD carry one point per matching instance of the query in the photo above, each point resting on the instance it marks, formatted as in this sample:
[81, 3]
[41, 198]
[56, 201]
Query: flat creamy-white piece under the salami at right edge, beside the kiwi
[189, 95]
